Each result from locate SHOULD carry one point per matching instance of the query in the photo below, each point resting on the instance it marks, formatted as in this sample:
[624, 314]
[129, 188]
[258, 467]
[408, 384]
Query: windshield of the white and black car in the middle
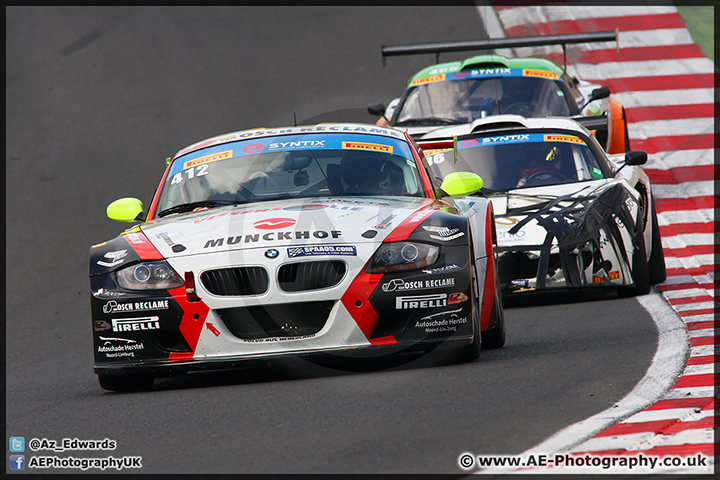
[507, 162]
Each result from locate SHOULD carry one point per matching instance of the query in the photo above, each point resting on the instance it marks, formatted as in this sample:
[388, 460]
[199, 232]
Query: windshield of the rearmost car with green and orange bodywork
[465, 100]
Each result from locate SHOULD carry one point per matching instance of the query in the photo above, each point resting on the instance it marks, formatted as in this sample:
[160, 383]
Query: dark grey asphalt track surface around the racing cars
[97, 98]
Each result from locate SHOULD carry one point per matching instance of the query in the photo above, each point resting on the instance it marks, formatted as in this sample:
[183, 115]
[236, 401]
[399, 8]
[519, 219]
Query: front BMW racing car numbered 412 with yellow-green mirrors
[302, 240]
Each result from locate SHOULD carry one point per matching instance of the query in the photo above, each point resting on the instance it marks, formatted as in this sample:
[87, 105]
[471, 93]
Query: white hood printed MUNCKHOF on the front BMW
[311, 221]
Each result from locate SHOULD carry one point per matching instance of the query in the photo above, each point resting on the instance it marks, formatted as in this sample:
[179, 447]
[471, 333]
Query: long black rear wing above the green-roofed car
[493, 43]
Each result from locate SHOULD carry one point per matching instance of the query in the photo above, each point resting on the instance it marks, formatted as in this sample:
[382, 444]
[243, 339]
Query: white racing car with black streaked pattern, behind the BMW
[567, 214]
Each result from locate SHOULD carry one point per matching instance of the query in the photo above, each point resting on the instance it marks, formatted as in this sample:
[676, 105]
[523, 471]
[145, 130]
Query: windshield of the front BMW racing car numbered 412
[291, 166]
